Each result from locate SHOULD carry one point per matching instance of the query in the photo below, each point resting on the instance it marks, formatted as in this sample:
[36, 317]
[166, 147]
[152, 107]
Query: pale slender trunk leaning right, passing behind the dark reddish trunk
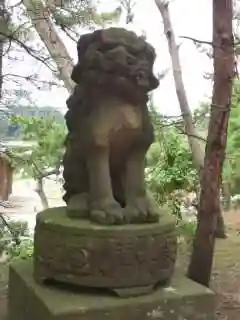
[197, 152]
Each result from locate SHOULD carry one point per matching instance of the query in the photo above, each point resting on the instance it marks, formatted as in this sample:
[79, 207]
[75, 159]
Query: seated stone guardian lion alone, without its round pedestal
[110, 129]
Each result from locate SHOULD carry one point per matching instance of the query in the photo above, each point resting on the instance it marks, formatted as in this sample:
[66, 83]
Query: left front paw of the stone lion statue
[107, 212]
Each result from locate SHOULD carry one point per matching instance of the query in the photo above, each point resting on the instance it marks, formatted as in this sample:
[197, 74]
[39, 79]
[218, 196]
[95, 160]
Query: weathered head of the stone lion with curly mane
[116, 60]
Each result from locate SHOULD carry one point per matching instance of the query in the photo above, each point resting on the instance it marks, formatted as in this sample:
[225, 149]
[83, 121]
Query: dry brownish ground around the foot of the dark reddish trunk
[226, 269]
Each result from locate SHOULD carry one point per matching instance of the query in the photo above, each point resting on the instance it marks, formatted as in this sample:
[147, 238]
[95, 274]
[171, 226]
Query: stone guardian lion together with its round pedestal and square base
[116, 259]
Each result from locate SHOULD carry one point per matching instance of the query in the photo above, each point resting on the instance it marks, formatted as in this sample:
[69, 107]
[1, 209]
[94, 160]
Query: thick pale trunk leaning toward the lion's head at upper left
[41, 20]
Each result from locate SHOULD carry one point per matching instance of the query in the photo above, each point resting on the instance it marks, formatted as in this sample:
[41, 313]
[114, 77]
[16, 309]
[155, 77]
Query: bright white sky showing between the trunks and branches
[192, 18]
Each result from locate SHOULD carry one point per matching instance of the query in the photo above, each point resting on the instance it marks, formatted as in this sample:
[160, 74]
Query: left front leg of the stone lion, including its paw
[103, 208]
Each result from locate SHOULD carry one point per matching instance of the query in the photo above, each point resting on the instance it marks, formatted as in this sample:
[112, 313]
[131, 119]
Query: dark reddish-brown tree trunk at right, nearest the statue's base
[209, 207]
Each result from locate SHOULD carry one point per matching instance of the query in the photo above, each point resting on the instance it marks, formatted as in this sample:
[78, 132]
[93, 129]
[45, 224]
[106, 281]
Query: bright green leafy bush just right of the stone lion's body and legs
[170, 168]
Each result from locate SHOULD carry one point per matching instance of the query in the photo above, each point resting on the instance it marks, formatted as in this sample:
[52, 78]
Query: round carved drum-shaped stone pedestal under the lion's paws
[116, 257]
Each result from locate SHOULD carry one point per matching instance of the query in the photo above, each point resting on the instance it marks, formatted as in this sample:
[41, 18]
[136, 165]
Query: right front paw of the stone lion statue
[141, 210]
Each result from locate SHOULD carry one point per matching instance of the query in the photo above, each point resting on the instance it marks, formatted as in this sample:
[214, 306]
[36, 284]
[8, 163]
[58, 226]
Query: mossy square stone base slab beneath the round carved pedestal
[184, 300]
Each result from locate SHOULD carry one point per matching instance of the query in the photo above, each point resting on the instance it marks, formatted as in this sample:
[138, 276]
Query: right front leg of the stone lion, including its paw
[139, 207]
